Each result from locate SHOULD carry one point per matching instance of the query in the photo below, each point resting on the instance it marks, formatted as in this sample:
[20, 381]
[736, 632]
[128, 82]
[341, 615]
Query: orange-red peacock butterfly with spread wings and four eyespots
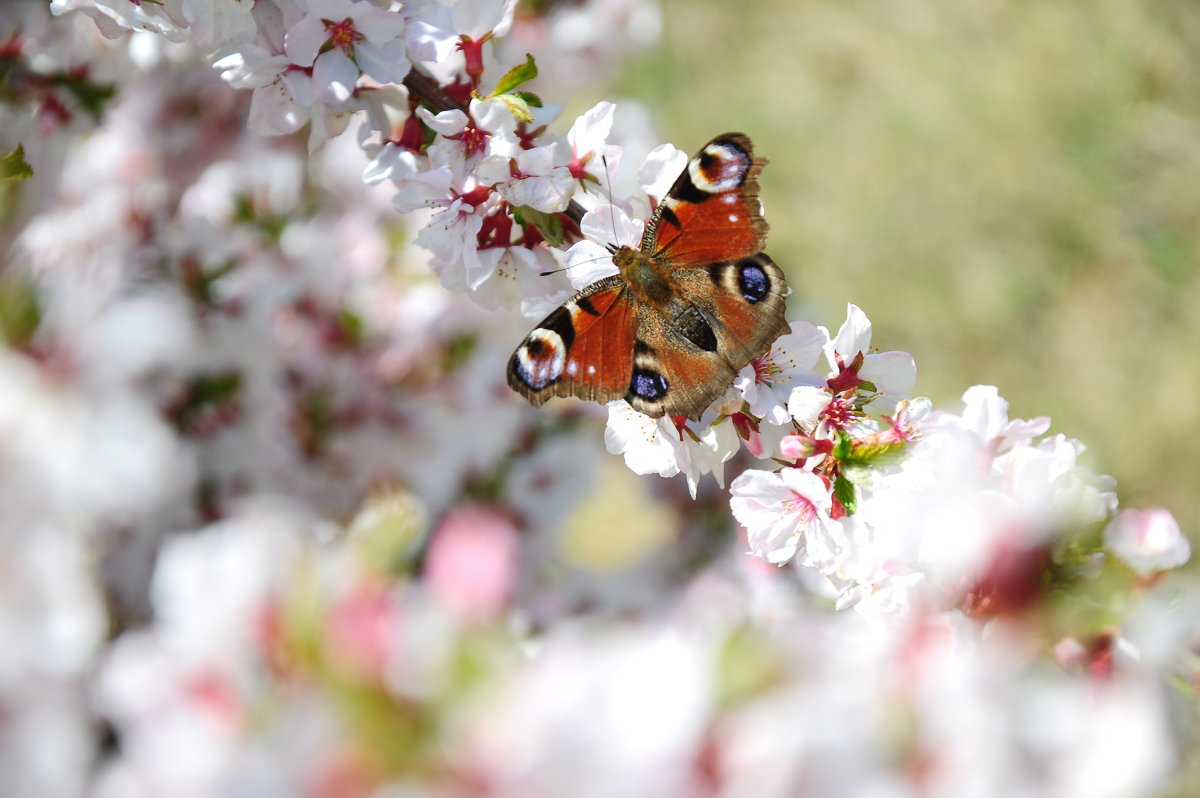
[688, 310]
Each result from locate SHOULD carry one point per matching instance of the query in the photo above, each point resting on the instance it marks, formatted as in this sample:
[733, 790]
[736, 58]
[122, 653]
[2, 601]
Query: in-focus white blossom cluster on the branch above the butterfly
[478, 159]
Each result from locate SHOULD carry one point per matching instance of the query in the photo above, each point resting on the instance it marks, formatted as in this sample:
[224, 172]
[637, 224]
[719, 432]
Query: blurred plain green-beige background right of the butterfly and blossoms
[1010, 190]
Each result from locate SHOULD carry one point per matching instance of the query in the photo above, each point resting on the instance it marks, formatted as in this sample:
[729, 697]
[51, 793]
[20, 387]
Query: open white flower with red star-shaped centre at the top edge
[339, 39]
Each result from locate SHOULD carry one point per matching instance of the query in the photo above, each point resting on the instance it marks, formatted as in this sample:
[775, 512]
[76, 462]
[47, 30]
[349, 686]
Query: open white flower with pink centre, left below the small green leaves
[783, 513]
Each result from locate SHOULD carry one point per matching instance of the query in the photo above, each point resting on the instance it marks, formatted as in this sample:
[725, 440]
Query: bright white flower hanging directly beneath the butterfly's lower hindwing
[658, 447]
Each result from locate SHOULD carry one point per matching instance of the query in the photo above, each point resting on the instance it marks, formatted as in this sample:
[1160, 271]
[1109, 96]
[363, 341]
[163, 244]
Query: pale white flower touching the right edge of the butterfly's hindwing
[767, 382]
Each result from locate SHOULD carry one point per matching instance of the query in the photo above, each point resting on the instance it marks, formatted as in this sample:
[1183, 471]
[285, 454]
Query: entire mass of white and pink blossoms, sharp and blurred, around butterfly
[273, 525]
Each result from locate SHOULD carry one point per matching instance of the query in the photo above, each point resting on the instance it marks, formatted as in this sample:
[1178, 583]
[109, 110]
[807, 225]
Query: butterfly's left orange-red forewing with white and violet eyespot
[585, 349]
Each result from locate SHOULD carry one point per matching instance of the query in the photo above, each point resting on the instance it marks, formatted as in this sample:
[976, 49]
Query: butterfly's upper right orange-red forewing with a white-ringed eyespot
[712, 212]
